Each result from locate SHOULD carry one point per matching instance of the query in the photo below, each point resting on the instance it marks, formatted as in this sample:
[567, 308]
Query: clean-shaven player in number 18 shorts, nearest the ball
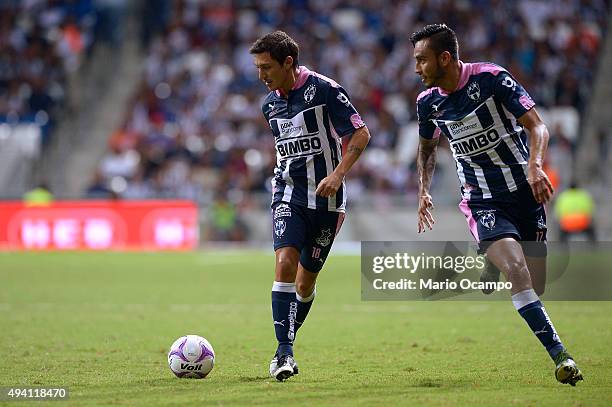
[308, 113]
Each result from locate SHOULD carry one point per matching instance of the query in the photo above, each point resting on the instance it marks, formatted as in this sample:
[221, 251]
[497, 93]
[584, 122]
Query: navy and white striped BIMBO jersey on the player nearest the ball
[307, 126]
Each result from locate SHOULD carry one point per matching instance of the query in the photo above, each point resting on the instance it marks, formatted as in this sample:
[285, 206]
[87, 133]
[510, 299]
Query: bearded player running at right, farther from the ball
[484, 112]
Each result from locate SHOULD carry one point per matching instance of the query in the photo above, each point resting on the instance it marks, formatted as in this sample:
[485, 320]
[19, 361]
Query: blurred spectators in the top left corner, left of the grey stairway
[41, 42]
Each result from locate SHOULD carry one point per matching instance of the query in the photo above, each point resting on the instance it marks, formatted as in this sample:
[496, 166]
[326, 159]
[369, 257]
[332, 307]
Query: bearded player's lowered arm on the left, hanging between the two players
[426, 164]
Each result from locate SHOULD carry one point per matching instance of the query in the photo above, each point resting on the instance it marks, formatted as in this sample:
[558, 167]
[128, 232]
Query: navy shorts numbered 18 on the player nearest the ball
[310, 231]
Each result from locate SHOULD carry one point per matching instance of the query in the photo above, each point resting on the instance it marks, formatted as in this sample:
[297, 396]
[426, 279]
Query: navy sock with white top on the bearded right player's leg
[531, 309]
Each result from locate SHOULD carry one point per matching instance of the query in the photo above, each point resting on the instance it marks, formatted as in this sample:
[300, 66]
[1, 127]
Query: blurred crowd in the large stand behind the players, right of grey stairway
[194, 127]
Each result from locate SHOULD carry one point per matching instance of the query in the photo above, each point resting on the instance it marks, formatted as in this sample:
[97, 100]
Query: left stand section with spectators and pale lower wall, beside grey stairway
[42, 43]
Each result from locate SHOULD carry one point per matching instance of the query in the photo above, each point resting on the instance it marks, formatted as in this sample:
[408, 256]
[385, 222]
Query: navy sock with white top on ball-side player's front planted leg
[284, 310]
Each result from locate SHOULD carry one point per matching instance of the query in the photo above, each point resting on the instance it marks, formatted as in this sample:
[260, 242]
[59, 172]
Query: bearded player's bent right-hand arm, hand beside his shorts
[538, 143]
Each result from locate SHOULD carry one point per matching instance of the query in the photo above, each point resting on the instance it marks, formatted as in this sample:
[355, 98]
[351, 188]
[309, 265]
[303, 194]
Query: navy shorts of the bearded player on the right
[516, 214]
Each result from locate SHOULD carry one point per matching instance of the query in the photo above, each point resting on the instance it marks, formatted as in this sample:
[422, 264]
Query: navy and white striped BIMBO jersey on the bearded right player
[480, 121]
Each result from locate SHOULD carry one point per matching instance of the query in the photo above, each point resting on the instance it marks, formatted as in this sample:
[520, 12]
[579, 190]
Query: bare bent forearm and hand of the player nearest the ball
[358, 142]
